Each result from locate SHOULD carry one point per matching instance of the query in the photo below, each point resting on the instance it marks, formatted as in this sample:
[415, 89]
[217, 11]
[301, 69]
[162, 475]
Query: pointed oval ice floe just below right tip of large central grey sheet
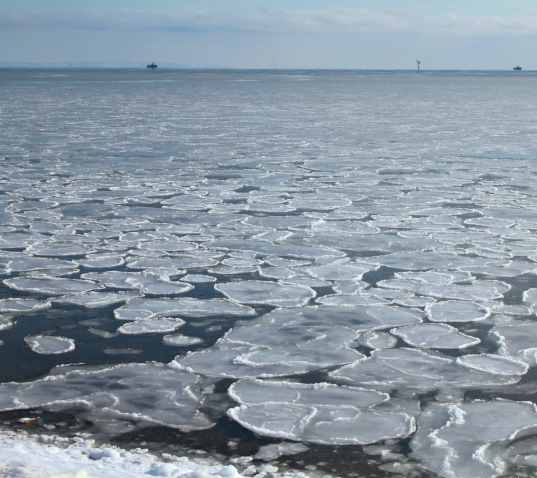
[434, 336]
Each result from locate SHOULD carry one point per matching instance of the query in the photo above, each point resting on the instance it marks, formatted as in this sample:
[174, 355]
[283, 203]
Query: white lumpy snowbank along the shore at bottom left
[33, 456]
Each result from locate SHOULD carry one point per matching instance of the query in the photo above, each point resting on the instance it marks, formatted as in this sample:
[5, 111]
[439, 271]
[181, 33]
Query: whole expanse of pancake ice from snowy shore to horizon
[306, 273]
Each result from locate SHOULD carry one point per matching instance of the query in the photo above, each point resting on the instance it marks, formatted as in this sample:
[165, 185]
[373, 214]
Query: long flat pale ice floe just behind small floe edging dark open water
[138, 309]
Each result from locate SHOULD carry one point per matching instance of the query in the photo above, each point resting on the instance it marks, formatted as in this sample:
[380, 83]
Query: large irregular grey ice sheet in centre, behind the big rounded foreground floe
[293, 341]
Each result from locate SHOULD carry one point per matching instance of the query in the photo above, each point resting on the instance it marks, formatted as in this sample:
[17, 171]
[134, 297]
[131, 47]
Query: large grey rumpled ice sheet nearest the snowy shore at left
[150, 392]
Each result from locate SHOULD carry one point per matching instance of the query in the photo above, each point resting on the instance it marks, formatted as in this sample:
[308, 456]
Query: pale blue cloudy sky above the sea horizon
[361, 34]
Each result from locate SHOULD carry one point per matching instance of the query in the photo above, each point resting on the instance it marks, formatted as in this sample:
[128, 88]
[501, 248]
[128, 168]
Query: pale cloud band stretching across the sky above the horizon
[315, 21]
